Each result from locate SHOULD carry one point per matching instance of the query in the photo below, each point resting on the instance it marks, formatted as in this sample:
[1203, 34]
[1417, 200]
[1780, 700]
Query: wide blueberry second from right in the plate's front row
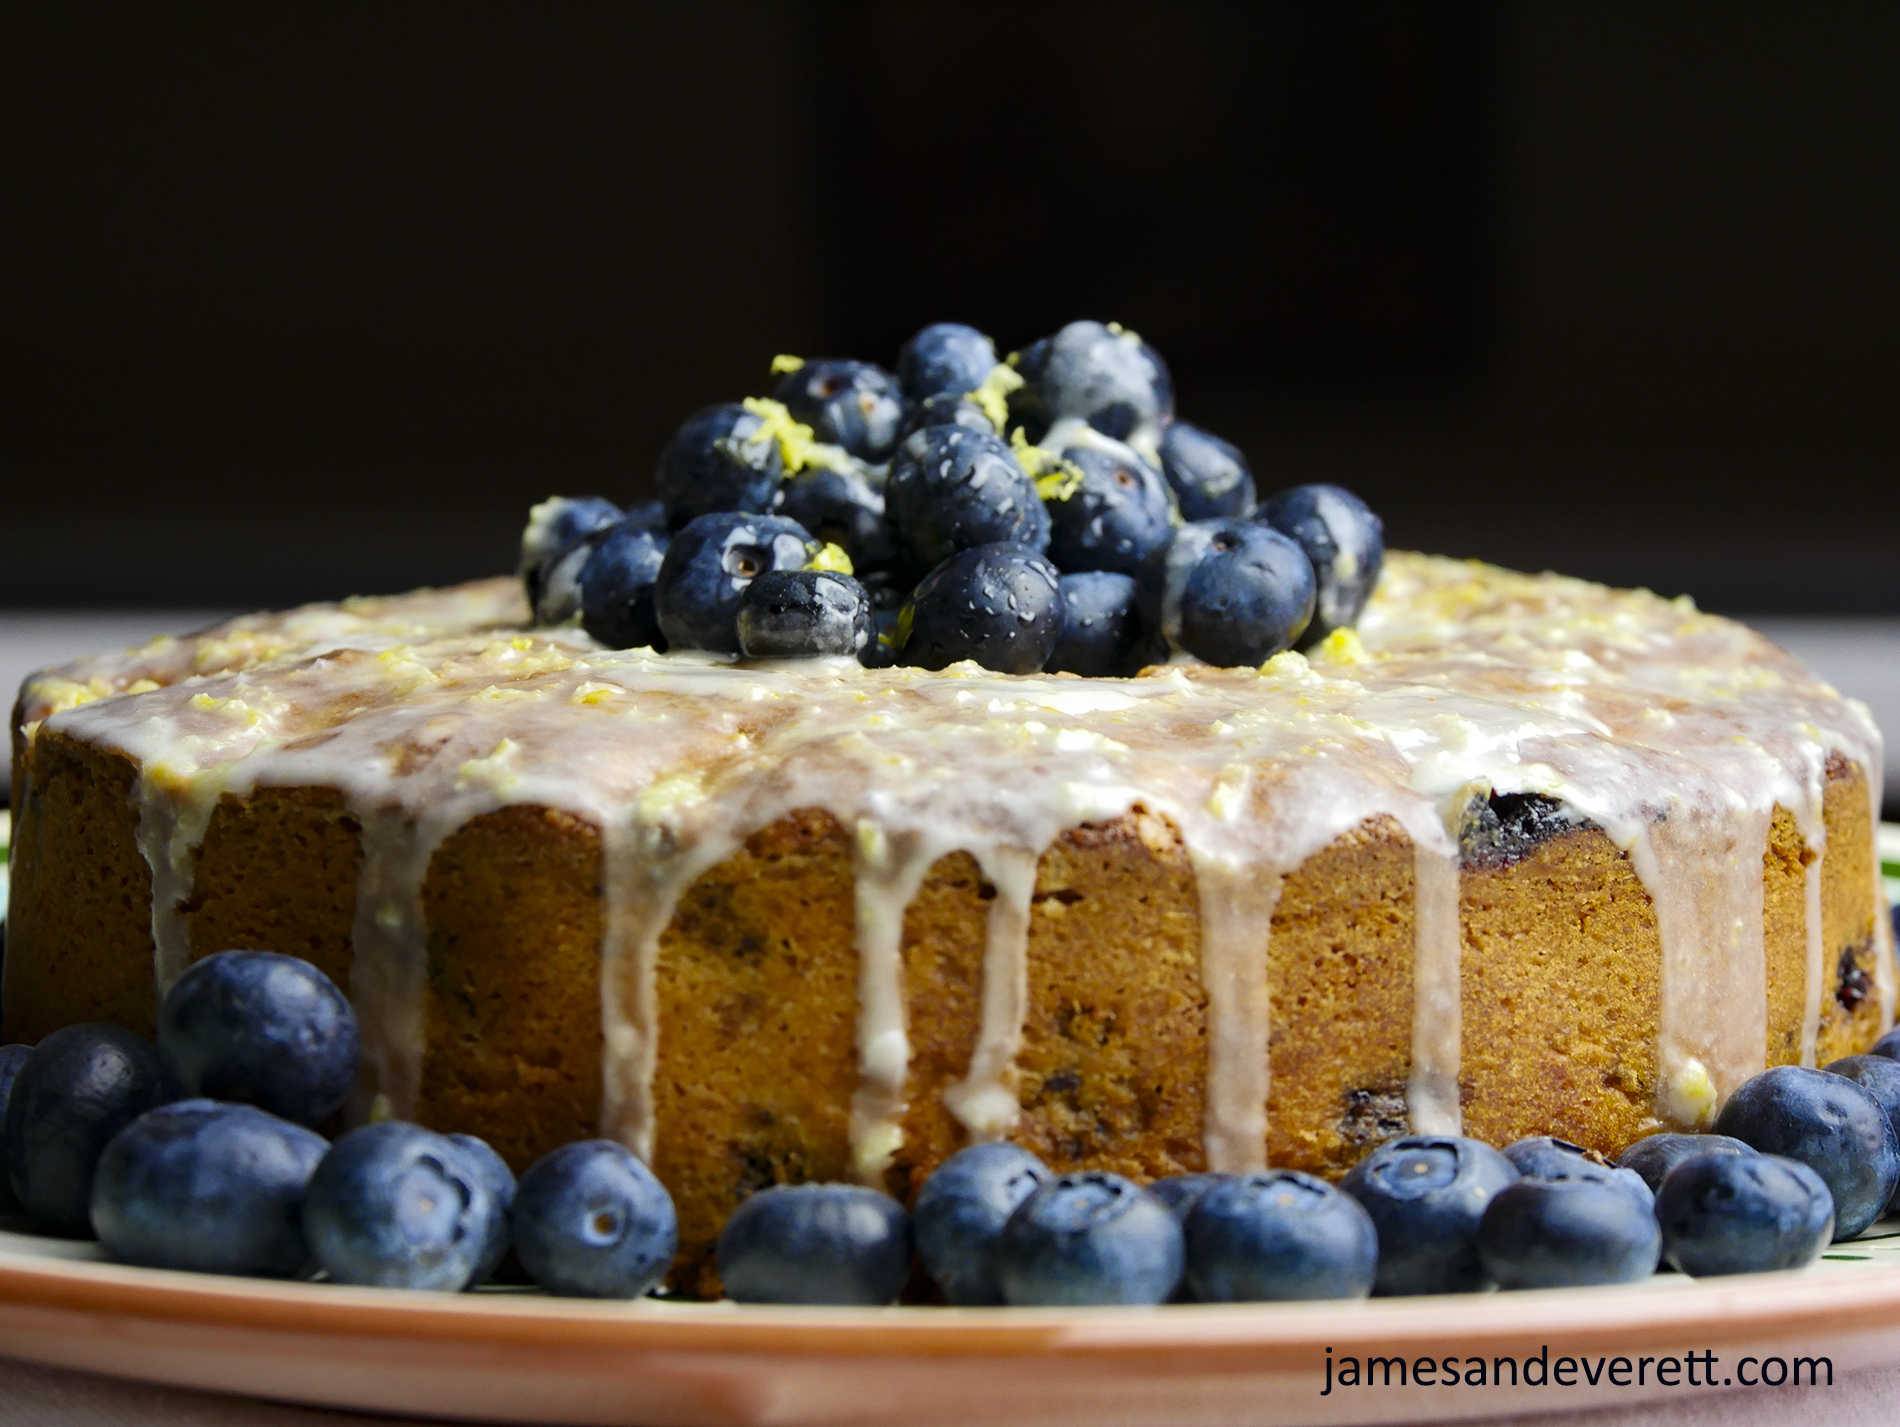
[1568, 1232]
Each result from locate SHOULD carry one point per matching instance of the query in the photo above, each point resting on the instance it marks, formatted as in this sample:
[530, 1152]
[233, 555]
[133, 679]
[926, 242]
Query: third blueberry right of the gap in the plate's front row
[1090, 1238]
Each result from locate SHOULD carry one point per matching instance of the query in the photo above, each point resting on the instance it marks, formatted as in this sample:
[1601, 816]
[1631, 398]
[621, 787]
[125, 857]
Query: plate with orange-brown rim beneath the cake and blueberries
[516, 1356]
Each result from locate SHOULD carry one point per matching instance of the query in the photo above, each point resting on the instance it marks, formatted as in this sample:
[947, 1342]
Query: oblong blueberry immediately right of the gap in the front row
[816, 1244]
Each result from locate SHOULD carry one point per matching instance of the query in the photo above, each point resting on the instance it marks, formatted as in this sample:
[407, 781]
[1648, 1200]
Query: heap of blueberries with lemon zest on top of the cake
[1040, 514]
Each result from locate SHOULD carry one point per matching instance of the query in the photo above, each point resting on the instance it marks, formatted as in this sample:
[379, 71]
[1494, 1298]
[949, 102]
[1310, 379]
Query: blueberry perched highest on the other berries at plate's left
[261, 1029]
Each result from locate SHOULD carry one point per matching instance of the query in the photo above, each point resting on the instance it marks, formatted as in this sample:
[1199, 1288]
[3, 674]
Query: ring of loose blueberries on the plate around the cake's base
[202, 1152]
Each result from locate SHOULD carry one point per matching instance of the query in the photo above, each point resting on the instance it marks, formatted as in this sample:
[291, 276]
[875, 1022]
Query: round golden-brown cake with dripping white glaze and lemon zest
[1519, 856]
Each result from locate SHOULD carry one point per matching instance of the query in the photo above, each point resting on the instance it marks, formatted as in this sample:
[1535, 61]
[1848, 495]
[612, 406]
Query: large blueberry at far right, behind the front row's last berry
[1829, 1124]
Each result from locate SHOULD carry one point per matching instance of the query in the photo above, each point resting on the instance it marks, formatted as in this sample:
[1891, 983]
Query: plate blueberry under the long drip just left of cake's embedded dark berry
[1426, 1196]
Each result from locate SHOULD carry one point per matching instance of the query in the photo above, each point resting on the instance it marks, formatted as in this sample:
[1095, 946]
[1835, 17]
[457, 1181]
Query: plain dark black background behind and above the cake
[309, 299]
